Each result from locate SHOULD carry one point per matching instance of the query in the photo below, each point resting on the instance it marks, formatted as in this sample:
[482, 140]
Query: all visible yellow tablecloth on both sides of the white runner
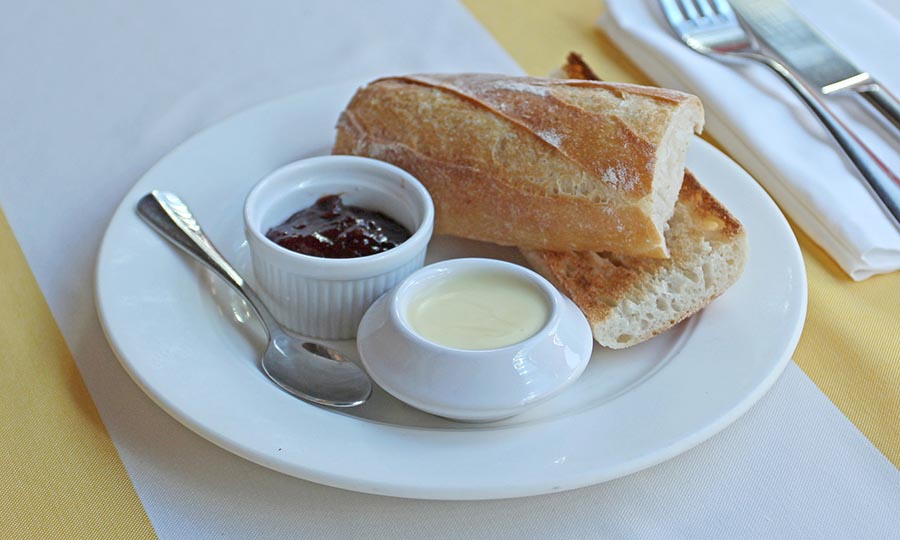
[63, 477]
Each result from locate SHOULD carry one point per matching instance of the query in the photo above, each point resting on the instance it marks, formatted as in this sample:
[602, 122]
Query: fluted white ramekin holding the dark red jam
[326, 298]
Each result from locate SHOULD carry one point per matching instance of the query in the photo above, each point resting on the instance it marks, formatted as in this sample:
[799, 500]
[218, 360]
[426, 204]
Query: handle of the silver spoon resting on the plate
[171, 218]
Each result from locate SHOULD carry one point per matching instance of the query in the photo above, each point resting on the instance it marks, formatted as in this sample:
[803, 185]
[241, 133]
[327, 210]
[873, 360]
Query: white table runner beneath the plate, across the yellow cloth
[95, 92]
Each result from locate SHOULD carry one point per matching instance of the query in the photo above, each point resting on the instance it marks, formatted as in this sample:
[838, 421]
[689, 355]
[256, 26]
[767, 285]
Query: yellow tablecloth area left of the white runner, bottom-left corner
[62, 477]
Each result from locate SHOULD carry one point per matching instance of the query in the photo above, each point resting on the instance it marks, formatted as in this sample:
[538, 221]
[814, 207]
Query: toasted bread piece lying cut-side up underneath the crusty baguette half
[628, 300]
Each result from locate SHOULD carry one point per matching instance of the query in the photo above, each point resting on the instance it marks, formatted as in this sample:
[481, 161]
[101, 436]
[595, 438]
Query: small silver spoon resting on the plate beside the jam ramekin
[305, 369]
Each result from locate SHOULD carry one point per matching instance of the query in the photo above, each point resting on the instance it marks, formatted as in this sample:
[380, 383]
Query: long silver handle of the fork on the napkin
[882, 183]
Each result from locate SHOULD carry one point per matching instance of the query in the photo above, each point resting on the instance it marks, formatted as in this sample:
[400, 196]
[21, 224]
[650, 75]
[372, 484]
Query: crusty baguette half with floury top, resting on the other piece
[540, 163]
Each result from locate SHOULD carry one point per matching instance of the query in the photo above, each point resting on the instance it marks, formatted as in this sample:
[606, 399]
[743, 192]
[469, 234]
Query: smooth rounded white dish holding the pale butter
[472, 385]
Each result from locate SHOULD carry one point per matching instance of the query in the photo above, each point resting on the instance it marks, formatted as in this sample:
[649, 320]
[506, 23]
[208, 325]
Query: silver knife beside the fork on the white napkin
[809, 54]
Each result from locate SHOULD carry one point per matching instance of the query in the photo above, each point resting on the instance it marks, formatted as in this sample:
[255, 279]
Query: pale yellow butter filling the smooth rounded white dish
[478, 310]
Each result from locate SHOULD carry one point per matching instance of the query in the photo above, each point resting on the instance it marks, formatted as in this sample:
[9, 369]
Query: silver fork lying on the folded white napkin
[712, 28]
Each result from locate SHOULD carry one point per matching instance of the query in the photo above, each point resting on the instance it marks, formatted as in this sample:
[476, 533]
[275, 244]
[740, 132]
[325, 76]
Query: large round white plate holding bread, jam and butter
[179, 334]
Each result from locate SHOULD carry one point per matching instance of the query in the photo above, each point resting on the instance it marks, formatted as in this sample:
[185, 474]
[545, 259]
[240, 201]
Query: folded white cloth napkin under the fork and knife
[765, 127]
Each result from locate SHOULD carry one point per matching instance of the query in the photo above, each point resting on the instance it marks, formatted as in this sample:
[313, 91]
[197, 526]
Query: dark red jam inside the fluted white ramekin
[333, 230]
